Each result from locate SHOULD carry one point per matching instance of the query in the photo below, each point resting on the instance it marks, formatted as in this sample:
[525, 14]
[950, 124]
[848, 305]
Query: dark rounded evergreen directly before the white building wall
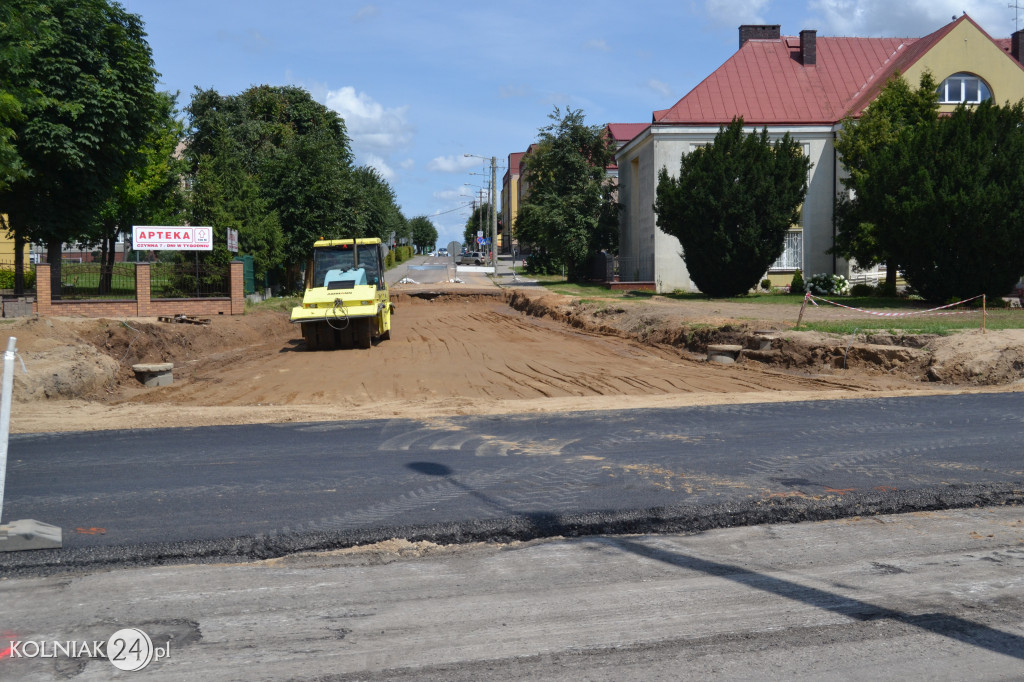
[732, 205]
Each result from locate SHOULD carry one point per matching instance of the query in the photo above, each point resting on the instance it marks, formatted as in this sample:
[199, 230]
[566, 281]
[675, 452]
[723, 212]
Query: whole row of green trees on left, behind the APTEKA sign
[89, 148]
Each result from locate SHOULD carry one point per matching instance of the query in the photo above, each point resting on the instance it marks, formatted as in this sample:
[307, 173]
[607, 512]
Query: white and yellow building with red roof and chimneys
[805, 87]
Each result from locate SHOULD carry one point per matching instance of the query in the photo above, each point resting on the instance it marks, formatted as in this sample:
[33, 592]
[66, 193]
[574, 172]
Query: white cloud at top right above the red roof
[911, 19]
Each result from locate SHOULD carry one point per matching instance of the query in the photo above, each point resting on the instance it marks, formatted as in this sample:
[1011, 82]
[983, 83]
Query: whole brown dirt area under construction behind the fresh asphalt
[453, 355]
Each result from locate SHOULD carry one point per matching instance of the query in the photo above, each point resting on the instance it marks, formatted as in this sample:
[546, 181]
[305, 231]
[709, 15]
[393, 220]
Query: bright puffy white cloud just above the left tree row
[372, 127]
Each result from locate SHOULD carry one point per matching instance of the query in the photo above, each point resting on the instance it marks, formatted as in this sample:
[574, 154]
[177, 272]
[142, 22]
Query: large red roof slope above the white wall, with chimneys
[767, 83]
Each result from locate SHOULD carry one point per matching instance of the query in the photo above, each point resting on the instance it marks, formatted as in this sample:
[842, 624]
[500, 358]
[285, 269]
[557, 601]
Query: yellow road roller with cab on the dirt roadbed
[347, 303]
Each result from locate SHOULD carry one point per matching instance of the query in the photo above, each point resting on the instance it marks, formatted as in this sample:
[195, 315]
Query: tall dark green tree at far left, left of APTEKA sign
[93, 84]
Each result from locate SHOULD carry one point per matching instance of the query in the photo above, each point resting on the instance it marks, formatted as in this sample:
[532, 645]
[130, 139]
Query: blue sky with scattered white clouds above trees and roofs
[420, 84]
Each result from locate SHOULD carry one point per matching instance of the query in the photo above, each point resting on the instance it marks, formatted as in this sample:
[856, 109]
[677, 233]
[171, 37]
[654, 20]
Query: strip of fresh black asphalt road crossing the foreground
[253, 492]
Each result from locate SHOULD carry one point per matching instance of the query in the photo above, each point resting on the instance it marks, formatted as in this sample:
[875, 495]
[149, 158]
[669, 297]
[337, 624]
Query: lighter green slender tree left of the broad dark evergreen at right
[865, 230]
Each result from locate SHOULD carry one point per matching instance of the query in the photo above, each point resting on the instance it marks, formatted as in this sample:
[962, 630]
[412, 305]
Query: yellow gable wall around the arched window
[968, 50]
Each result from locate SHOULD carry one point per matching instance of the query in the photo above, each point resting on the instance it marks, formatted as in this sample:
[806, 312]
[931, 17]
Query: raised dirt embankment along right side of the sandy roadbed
[967, 359]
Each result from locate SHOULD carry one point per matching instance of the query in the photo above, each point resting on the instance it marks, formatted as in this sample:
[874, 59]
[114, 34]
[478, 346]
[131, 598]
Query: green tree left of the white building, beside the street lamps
[569, 211]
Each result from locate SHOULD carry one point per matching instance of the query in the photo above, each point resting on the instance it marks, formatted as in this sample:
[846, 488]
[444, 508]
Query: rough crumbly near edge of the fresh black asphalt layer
[794, 508]
